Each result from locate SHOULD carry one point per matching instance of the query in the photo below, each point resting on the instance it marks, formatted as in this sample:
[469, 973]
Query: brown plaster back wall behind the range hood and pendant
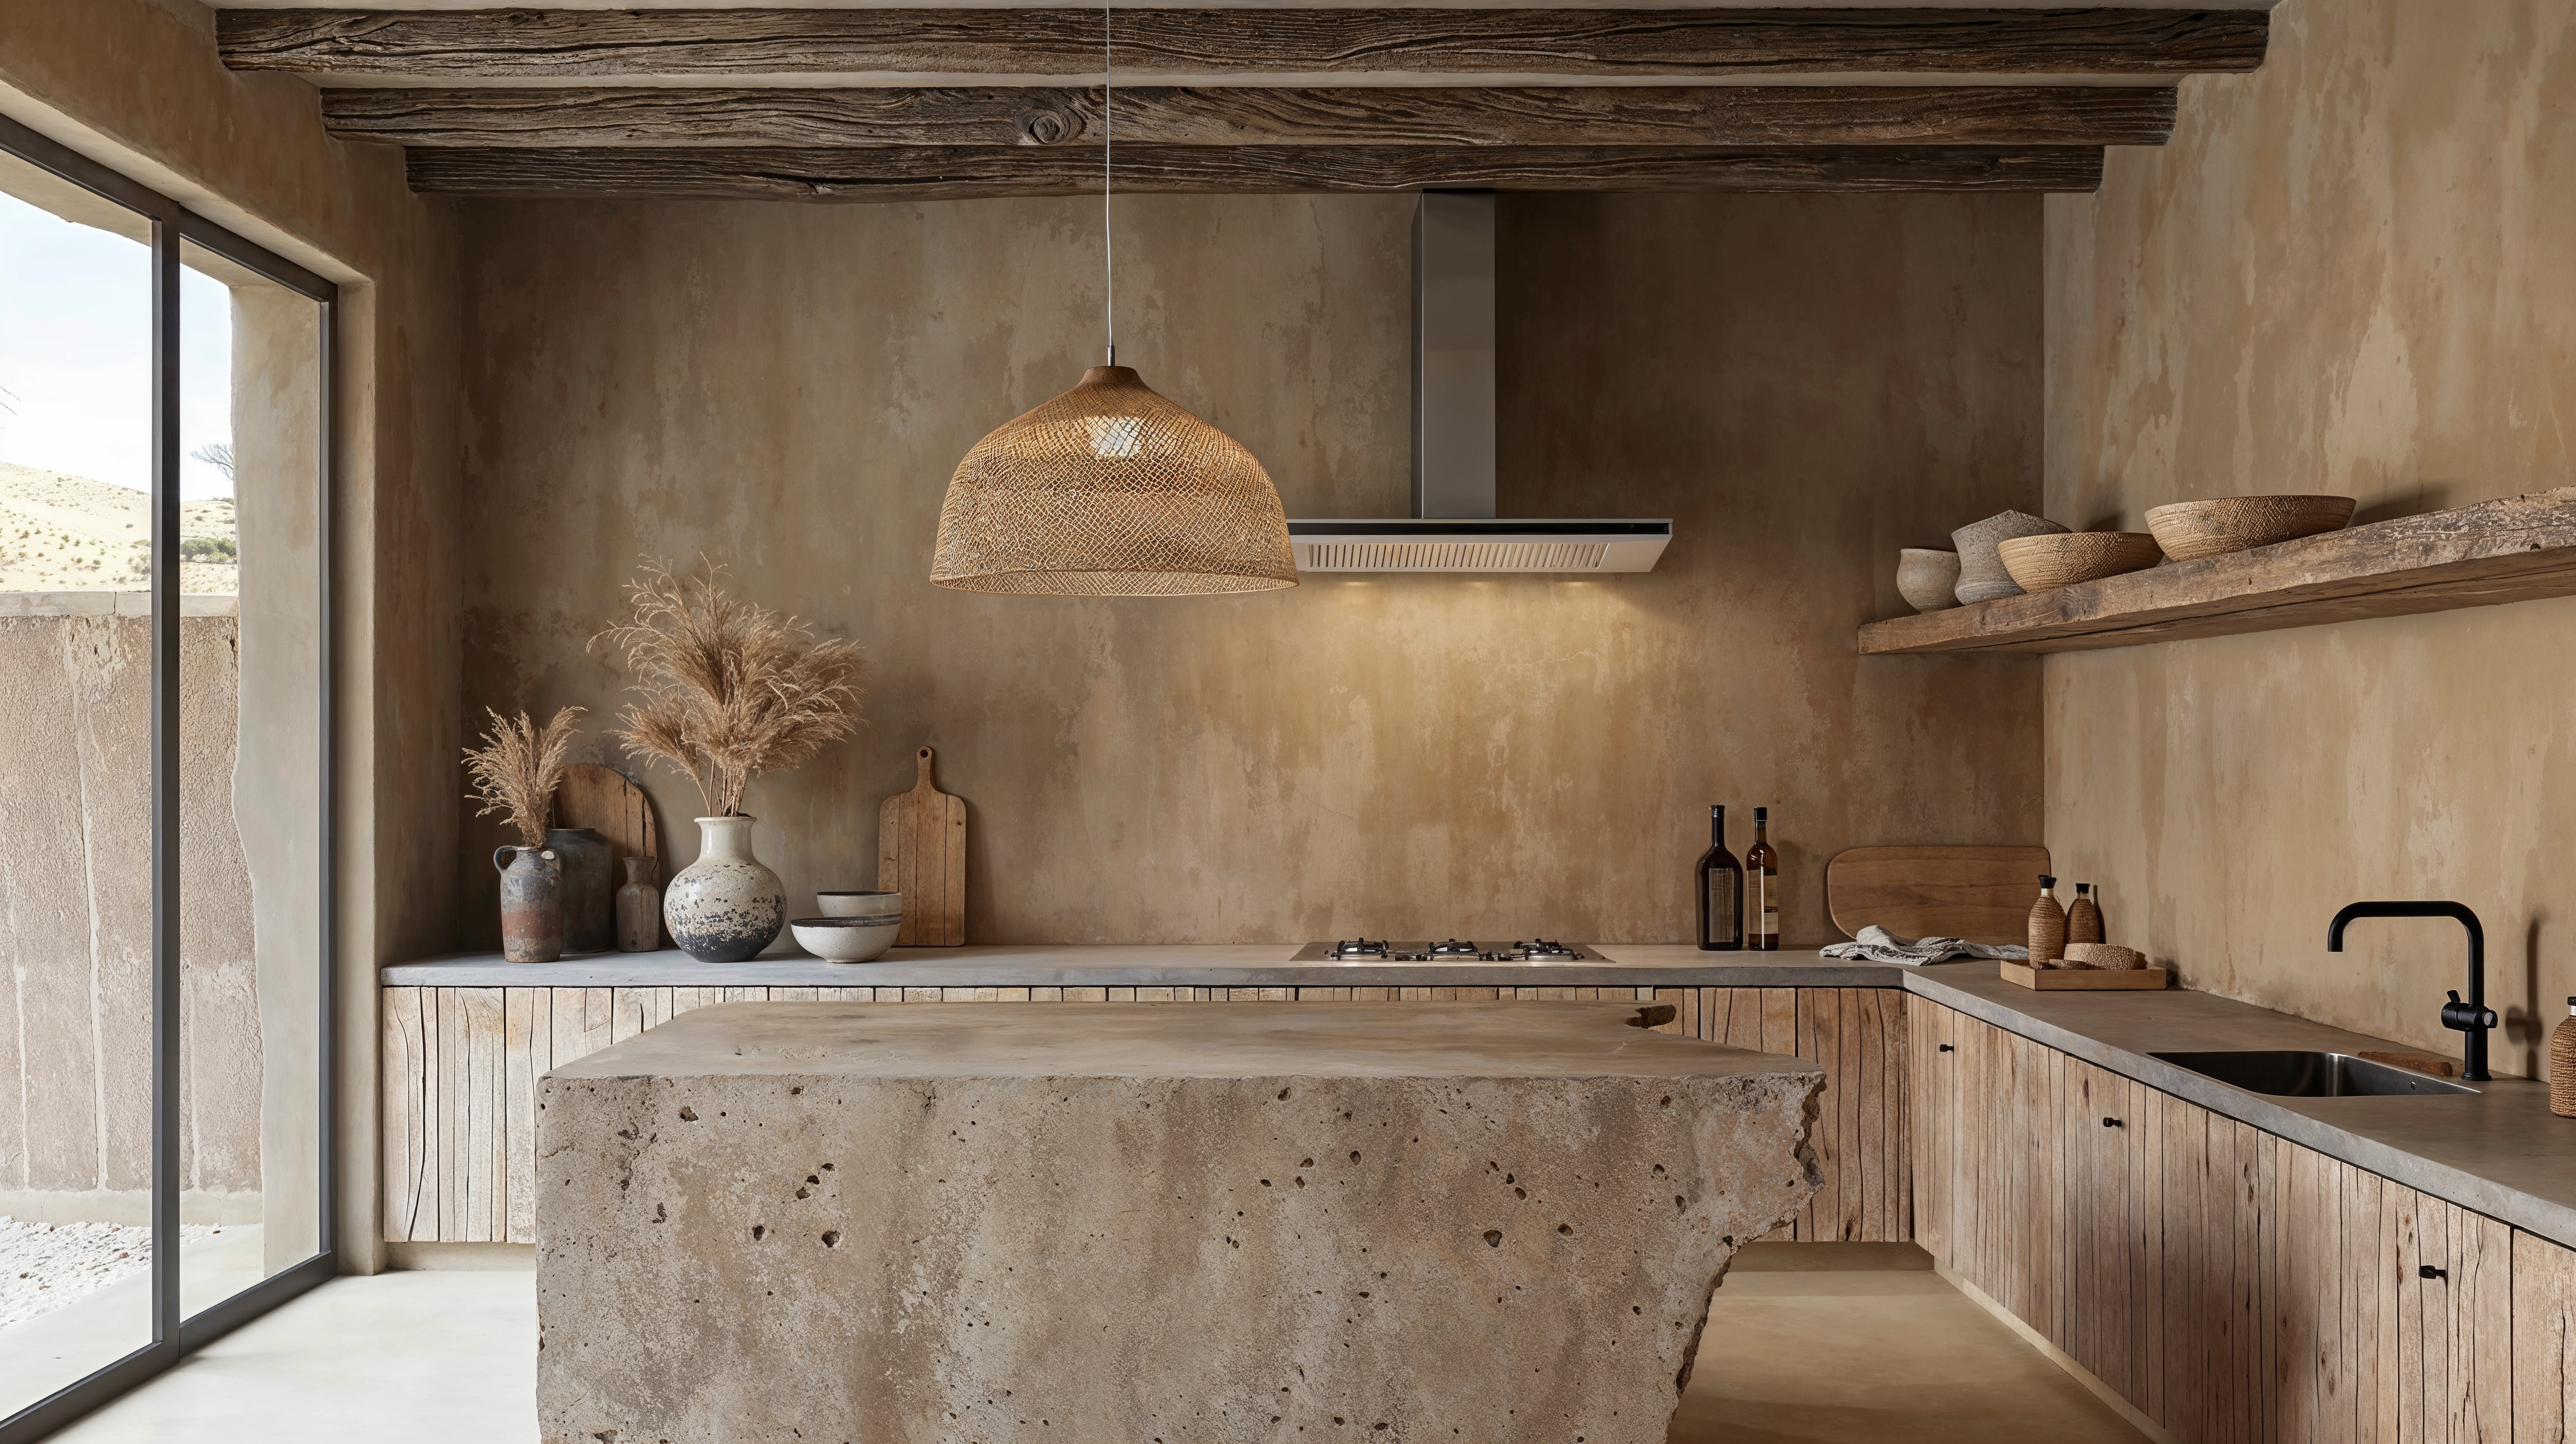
[1802, 385]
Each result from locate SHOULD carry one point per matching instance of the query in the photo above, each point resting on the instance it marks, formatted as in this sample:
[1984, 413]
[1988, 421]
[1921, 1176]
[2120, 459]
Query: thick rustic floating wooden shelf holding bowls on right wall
[2477, 556]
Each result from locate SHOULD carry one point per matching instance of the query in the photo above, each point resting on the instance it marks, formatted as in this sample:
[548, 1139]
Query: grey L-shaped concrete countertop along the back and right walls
[2500, 1151]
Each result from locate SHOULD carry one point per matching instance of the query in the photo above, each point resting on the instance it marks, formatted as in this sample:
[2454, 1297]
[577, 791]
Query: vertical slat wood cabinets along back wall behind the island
[462, 1066]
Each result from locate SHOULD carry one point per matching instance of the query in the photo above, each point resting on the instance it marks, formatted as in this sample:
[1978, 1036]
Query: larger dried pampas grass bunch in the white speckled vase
[728, 690]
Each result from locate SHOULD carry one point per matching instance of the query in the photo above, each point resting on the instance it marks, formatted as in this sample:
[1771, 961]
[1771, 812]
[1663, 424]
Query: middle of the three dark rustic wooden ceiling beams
[1006, 115]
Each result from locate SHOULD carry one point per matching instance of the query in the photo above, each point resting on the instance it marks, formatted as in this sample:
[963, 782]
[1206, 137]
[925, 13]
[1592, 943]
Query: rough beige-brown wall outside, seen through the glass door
[76, 986]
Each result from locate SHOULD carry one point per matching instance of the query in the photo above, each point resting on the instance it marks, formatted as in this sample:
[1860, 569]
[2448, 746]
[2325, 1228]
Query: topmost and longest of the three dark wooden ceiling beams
[1282, 43]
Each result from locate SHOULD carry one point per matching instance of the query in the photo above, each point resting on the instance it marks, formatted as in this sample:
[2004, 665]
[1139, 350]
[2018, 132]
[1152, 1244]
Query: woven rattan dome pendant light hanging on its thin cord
[1112, 491]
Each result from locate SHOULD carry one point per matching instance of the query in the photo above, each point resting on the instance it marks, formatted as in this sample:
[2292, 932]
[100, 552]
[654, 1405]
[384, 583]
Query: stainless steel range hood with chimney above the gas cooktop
[1454, 527]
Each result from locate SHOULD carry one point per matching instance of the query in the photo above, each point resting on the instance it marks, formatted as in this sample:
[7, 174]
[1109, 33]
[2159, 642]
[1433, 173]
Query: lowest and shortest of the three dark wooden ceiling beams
[954, 174]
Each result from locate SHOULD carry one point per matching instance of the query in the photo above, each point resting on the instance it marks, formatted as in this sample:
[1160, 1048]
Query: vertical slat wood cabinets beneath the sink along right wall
[2227, 1283]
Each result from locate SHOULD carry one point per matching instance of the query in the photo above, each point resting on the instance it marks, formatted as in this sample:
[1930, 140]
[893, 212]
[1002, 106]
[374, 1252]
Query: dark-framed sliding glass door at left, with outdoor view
[166, 1154]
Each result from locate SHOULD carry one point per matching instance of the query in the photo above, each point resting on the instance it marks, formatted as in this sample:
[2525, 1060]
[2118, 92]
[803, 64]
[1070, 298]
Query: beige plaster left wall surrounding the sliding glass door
[138, 86]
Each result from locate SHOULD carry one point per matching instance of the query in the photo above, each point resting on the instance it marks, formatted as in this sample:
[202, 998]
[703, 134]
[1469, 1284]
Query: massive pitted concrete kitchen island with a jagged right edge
[926, 1224]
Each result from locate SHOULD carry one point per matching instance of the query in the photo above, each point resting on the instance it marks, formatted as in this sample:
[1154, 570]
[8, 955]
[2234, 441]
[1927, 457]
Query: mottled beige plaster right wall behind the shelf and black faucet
[2348, 275]
